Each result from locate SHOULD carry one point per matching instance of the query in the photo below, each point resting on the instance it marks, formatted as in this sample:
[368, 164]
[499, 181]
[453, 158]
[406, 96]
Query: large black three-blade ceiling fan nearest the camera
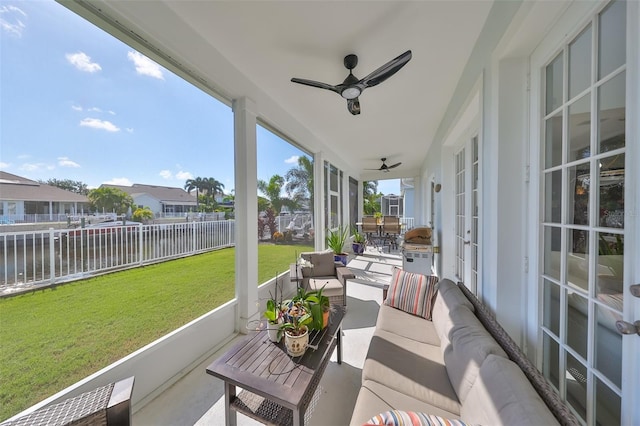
[351, 87]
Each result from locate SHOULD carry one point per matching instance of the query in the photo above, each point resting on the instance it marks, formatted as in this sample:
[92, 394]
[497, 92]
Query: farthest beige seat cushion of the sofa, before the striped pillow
[406, 325]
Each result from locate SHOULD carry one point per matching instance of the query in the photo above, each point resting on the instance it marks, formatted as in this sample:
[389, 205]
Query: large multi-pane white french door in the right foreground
[584, 221]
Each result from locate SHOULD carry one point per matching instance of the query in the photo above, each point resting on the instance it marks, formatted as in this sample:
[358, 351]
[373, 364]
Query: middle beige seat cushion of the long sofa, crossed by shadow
[410, 367]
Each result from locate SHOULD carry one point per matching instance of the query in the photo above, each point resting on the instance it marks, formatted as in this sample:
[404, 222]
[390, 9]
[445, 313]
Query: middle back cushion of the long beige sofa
[470, 344]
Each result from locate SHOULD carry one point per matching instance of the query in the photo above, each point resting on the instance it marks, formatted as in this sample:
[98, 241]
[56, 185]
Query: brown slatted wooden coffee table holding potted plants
[277, 389]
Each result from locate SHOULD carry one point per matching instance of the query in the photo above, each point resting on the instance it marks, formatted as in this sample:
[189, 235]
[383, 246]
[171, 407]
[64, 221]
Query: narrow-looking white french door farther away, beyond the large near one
[466, 214]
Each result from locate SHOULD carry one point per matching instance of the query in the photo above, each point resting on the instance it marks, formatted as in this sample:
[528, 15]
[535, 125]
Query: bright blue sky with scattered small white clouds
[78, 104]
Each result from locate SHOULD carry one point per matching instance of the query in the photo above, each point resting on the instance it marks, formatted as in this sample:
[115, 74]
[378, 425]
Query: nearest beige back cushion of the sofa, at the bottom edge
[502, 395]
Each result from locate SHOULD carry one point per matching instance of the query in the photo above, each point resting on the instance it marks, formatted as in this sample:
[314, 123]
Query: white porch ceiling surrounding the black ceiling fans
[254, 48]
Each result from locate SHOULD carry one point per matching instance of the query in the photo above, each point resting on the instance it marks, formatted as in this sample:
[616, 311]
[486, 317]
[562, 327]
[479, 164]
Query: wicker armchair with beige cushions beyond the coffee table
[325, 272]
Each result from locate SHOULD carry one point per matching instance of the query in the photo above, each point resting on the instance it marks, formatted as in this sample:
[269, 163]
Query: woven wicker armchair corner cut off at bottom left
[108, 405]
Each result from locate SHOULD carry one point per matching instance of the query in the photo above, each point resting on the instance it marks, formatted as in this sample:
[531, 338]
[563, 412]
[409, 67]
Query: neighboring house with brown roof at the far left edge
[25, 200]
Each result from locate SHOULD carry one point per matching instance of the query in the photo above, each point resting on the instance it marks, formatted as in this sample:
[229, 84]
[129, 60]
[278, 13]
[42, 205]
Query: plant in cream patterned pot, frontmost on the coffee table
[297, 317]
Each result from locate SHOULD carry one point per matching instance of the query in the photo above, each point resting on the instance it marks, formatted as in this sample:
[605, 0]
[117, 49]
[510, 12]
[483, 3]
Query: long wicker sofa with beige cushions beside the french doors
[460, 366]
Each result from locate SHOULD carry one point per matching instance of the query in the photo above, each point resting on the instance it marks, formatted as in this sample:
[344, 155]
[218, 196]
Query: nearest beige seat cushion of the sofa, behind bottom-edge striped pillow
[375, 398]
